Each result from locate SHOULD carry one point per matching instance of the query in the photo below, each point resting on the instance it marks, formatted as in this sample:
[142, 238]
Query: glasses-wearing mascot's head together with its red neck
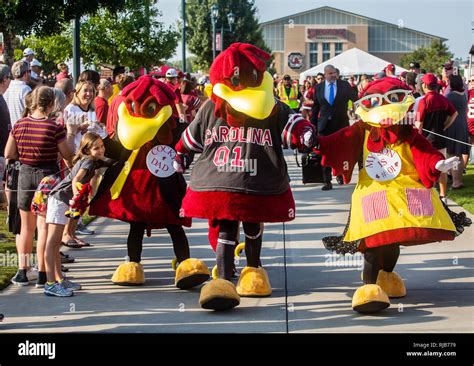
[383, 106]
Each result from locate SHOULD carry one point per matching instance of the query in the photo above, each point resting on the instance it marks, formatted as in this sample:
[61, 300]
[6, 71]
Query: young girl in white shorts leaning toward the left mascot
[88, 159]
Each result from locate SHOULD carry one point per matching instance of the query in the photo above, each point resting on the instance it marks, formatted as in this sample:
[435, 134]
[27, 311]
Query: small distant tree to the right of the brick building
[430, 58]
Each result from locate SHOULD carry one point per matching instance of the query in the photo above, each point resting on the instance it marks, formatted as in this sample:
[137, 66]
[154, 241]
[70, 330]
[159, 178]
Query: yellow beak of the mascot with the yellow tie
[134, 132]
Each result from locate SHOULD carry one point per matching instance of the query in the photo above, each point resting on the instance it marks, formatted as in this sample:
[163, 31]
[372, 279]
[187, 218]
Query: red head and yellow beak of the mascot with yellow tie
[145, 112]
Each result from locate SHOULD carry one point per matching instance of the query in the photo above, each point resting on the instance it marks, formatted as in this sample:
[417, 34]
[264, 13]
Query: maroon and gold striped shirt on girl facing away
[37, 140]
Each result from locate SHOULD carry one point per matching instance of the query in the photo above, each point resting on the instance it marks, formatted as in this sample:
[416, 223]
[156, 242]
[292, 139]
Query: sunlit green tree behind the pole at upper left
[131, 37]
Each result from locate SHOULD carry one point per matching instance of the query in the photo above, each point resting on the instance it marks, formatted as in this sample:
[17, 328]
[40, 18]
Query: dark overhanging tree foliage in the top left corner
[43, 17]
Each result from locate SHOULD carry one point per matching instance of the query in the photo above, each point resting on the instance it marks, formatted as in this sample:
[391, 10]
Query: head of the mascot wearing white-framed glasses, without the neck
[384, 102]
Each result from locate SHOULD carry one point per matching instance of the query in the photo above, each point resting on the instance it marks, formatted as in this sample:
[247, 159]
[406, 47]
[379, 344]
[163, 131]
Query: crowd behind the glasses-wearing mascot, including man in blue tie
[443, 111]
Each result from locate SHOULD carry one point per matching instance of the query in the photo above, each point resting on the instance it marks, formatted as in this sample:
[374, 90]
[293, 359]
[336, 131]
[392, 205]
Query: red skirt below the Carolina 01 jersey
[239, 206]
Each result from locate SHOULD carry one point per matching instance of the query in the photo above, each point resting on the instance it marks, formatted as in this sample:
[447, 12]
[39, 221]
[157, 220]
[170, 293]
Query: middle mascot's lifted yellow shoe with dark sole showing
[219, 294]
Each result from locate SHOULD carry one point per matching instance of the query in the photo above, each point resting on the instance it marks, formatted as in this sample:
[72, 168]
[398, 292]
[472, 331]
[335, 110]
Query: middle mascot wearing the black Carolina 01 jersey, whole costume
[241, 174]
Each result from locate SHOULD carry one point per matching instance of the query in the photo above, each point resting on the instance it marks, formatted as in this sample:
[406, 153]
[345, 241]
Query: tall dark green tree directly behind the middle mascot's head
[199, 27]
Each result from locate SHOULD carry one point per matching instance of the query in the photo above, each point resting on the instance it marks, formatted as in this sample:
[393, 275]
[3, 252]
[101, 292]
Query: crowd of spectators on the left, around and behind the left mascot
[51, 139]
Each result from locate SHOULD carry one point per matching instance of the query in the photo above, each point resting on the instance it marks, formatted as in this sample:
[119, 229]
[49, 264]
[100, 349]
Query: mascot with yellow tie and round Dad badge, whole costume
[142, 188]
